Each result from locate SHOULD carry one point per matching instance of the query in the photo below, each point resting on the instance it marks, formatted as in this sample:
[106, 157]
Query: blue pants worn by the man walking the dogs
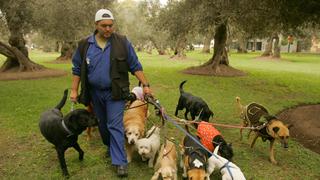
[110, 116]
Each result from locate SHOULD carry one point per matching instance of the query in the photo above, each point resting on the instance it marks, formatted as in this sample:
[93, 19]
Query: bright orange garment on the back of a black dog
[206, 133]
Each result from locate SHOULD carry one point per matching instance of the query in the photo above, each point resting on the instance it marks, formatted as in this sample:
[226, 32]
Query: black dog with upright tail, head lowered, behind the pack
[193, 104]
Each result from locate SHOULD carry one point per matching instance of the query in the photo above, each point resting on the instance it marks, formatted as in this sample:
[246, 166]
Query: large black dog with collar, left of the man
[63, 131]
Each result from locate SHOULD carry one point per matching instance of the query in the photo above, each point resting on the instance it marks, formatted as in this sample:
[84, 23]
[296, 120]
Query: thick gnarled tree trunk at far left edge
[16, 60]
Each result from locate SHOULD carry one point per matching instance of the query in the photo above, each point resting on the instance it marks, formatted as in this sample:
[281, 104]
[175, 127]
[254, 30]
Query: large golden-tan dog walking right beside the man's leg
[134, 123]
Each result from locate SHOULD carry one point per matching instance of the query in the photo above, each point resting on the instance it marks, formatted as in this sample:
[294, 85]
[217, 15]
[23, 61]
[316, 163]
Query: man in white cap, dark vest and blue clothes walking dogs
[101, 63]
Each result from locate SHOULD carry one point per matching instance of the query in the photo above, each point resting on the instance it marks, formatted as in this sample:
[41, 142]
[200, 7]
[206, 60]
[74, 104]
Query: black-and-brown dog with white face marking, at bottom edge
[194, 161]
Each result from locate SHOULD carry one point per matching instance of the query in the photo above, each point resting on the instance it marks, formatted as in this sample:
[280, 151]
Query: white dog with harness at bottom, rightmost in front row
[229, 170]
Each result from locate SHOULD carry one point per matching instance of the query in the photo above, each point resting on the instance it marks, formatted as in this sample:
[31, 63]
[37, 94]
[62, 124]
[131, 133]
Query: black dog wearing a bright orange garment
[211, 137]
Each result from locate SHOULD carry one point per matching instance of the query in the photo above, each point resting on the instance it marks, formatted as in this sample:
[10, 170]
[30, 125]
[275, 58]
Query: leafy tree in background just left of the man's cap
[66, 21]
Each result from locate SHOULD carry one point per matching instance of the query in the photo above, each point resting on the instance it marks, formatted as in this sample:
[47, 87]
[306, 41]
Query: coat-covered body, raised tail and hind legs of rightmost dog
[250, 114]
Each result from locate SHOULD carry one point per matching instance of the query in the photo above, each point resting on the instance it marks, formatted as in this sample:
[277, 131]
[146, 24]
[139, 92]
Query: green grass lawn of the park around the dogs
[276, 84]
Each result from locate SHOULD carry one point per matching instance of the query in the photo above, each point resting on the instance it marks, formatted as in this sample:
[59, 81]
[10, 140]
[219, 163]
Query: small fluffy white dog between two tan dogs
[149, 146]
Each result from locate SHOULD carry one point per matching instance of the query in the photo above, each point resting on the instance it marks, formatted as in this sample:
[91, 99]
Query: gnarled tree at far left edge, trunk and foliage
[18, 18]
